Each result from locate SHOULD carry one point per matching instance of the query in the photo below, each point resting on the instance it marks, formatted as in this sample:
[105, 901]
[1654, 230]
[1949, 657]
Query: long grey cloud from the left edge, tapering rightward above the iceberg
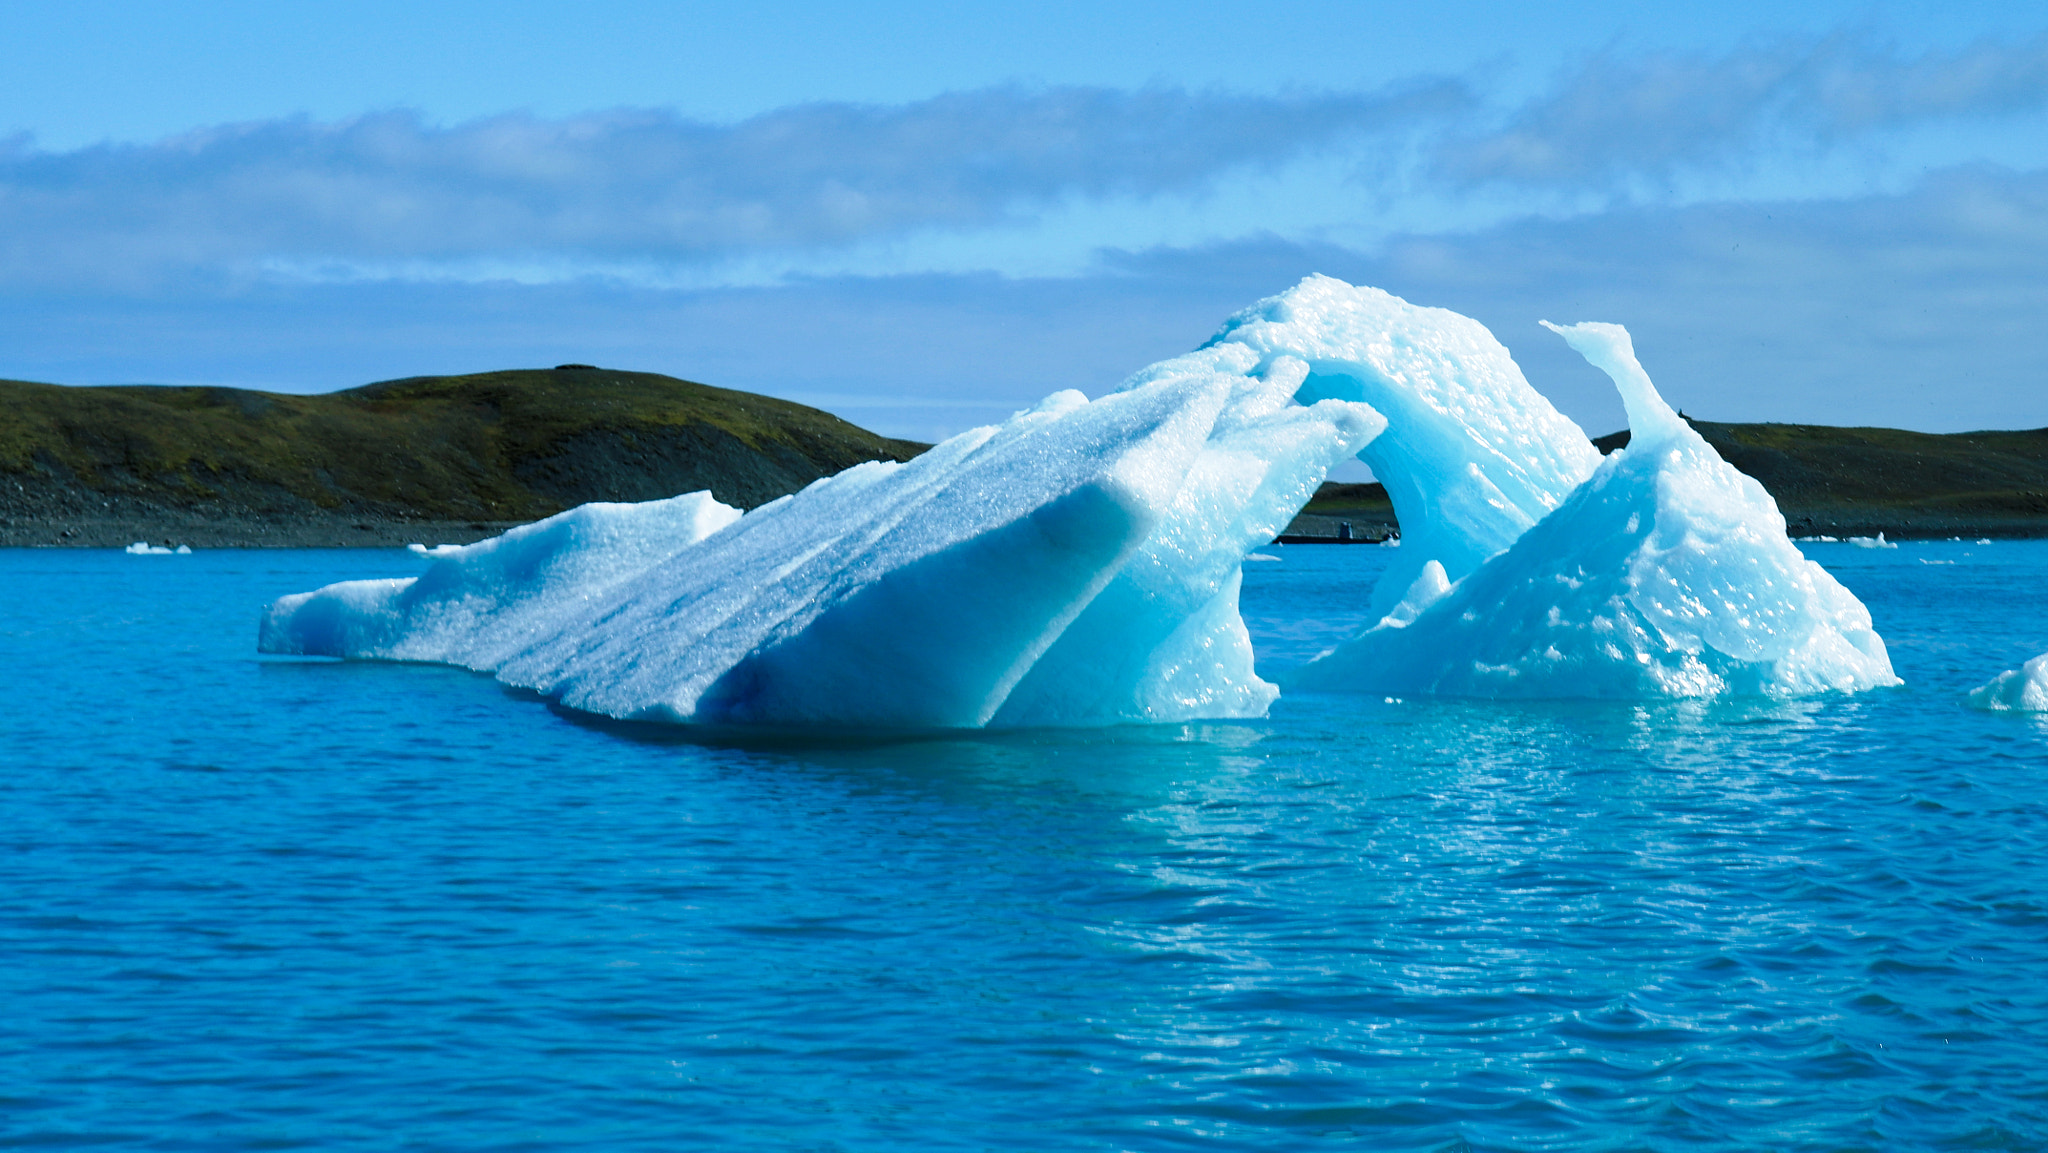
[642, 185]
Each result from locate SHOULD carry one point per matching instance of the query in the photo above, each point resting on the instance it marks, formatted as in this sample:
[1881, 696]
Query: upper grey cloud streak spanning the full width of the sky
[656, 200]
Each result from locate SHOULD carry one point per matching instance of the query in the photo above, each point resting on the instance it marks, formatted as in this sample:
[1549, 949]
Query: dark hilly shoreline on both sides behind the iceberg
[454, 460]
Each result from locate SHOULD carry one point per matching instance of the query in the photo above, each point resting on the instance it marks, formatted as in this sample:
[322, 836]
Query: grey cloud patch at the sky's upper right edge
[1650, 116]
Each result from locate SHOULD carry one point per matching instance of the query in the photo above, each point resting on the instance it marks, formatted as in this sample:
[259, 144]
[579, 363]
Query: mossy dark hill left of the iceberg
[396, 462]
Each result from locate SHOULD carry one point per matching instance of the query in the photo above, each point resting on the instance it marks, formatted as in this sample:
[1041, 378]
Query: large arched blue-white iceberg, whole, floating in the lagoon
[1080, 564]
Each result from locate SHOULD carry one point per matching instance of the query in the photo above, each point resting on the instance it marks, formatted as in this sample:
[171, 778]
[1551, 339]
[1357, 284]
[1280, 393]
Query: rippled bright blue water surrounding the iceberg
[269, 904]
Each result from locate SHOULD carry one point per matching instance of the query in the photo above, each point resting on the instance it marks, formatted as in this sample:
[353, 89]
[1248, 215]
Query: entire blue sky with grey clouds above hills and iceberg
[927, 216]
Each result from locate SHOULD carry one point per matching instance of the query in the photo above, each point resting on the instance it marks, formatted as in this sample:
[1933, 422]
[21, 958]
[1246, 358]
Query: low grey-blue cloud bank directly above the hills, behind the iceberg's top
[1914, 310]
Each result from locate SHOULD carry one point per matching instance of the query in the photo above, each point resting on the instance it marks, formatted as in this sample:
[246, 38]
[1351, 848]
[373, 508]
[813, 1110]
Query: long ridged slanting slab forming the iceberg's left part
[923, 595]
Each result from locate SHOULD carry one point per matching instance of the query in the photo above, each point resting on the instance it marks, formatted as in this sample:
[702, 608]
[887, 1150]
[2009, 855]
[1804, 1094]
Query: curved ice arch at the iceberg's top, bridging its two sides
[1471, 458]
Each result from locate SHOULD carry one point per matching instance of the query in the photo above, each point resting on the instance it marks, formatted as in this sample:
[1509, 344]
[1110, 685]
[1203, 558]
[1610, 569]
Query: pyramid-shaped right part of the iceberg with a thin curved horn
[1666, 574]
